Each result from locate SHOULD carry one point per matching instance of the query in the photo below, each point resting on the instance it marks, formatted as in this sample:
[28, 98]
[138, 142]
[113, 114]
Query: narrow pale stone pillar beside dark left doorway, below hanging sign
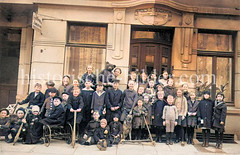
[24, 63]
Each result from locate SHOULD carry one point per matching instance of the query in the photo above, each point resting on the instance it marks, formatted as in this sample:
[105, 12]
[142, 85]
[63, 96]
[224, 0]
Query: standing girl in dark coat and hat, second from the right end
[205, 112]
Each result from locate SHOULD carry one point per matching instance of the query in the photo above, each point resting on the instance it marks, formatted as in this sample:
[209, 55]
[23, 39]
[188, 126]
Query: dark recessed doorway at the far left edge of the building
[10, 39]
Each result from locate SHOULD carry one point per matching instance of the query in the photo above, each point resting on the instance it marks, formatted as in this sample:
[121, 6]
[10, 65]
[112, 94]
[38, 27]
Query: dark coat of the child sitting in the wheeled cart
[56, 116]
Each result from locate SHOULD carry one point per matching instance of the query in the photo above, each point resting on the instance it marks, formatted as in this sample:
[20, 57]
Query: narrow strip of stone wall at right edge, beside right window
[237, 72]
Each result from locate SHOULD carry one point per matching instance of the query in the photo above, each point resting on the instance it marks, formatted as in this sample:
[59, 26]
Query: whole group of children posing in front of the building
[102, 109]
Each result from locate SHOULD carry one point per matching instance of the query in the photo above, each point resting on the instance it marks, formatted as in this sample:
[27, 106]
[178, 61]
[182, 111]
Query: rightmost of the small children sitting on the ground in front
[116, 130]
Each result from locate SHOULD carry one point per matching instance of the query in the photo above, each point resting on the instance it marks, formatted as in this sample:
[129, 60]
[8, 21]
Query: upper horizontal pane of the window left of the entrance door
[87, 34]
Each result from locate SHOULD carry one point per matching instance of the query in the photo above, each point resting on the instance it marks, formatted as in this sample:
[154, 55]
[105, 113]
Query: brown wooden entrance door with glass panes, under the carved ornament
[151, 49]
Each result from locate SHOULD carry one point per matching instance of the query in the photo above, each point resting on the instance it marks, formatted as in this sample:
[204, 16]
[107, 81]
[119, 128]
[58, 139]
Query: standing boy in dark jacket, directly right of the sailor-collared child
[113, 101]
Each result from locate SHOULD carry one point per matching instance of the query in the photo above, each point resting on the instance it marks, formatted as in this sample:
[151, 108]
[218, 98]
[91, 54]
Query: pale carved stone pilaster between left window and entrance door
[118, 44]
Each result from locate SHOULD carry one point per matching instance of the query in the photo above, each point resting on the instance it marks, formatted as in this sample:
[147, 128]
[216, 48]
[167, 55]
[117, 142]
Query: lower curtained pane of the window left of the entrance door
[77, 59]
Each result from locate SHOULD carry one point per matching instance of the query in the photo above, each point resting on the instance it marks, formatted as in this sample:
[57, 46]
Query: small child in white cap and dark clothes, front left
[35, 129]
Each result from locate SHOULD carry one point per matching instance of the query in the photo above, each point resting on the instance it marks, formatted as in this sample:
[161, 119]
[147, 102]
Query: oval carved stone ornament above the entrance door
[153, 16]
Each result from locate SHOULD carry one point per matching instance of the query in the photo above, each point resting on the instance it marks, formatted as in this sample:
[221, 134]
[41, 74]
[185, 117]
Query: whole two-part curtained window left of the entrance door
[86, 46]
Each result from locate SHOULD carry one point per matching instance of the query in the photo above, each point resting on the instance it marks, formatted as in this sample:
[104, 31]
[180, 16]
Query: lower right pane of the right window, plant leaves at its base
[224, 77]
